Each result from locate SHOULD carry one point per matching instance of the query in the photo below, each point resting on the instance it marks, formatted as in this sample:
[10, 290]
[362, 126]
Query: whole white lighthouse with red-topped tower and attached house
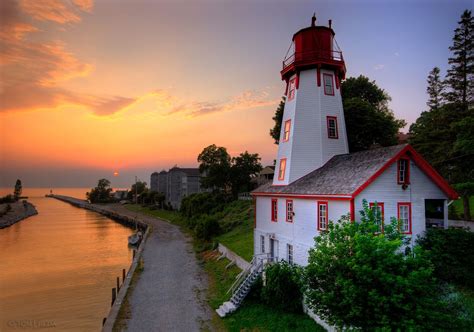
[317, 179]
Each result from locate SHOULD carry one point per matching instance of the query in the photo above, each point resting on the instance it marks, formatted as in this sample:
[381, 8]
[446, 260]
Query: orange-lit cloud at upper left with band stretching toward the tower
[33, 72]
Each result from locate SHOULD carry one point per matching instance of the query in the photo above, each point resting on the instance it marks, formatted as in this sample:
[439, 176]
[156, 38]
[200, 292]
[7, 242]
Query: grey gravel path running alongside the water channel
[170, 293]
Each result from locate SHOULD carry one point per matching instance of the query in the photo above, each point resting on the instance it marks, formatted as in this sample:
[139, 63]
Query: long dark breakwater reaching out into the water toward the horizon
[120, 218]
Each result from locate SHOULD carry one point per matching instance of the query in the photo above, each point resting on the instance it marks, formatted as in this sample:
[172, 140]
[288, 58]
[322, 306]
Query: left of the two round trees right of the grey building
[215, 164]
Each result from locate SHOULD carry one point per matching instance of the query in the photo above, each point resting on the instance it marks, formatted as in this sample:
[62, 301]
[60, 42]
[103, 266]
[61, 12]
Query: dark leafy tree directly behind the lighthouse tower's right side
[368, 119]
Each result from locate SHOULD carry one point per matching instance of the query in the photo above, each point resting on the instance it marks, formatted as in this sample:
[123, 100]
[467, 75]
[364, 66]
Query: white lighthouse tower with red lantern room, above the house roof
[313, 126]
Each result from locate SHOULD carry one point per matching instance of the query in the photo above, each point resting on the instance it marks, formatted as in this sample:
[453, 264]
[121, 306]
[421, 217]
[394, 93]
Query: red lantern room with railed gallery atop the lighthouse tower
[313, 47]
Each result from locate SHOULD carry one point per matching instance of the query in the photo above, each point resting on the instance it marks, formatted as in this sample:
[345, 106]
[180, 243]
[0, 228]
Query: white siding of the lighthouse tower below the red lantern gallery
[309, 147]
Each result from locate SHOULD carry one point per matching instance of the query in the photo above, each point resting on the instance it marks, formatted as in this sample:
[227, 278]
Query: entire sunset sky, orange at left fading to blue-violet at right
[90, 87]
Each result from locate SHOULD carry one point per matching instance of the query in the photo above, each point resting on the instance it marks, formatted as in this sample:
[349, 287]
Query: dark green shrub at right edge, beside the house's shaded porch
[452, 253]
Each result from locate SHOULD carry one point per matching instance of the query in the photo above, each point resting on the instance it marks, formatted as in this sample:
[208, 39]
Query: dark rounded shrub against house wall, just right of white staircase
[282, 287]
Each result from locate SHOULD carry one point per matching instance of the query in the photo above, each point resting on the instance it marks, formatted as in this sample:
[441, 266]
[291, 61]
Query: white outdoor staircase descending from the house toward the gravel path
[242, 284]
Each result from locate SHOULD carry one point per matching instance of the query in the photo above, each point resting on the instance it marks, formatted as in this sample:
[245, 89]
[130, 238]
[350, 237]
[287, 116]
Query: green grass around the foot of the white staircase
[251, 316]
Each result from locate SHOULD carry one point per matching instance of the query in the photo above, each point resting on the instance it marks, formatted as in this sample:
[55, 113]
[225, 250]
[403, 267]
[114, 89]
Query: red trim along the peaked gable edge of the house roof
[422, 164]
